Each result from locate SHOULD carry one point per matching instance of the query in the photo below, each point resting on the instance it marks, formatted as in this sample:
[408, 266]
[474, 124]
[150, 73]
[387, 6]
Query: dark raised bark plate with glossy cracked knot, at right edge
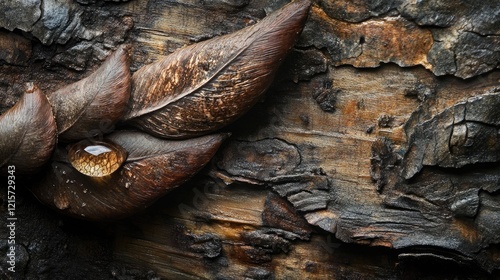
[464, 134]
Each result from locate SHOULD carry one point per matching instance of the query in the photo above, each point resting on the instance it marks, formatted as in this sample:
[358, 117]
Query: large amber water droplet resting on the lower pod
[96, 158]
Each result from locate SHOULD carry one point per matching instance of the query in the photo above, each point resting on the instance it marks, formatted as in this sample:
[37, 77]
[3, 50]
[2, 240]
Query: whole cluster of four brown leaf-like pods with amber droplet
[192, 92]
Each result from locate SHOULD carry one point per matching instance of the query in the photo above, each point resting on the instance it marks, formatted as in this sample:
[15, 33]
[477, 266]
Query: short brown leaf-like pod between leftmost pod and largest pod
[93, 104]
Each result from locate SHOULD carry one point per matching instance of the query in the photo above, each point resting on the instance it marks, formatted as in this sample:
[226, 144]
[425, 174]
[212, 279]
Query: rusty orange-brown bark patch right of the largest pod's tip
[374, 41]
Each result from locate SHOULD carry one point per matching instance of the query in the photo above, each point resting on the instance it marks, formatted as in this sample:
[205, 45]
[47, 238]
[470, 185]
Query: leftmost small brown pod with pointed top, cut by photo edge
[28, 132]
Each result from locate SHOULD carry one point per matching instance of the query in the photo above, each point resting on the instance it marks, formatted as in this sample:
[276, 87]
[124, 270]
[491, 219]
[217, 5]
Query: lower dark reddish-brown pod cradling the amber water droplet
[153, 168]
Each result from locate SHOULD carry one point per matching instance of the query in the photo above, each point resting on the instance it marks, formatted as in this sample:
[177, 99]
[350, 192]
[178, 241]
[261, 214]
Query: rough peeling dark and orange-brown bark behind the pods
[373, 155]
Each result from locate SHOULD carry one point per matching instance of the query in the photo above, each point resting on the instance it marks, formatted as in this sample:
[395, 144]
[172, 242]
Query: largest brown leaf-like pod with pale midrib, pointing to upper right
[205, 86]
